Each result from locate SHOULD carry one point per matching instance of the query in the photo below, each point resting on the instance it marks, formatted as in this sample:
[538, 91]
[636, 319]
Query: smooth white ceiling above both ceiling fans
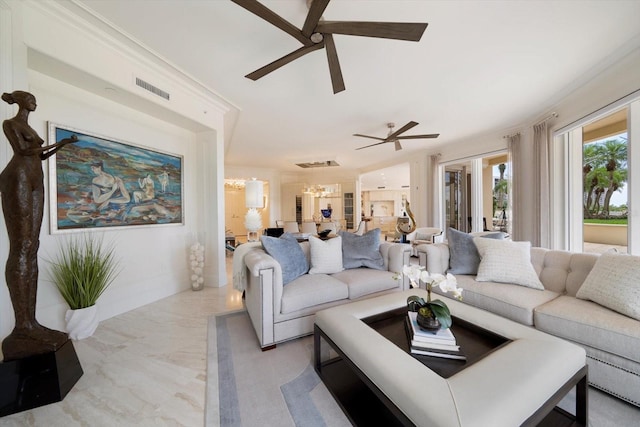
[481, 67]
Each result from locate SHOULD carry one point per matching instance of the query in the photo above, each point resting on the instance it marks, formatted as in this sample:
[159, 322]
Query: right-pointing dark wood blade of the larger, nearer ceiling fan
[386, 30]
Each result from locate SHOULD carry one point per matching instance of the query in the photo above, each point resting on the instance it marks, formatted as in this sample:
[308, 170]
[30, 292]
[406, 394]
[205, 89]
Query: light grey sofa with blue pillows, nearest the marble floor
[280, 312]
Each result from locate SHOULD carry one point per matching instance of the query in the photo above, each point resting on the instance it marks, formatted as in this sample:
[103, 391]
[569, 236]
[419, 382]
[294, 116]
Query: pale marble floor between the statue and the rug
[146, 367]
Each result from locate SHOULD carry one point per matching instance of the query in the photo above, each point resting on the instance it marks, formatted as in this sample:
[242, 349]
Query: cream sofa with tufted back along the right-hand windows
[611, 339]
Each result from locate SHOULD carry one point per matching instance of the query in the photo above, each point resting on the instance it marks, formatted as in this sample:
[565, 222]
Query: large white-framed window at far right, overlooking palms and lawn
[593, 169]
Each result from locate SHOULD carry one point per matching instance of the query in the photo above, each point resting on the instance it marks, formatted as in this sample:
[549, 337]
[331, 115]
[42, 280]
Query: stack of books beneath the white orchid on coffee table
[441, 343]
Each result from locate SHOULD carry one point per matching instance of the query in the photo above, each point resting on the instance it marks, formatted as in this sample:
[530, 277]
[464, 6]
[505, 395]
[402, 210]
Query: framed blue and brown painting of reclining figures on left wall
[100, 182]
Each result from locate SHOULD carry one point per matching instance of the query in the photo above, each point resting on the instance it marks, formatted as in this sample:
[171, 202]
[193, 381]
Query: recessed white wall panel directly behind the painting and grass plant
[154, 259]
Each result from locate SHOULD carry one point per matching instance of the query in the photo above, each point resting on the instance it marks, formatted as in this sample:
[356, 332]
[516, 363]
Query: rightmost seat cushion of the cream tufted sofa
[591, 324]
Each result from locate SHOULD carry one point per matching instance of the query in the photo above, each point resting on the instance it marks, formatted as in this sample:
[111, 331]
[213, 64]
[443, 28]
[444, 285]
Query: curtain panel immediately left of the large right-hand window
[541, 213]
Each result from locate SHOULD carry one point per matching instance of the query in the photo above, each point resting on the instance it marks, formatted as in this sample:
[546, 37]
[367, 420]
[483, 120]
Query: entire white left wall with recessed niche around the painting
[154, 259]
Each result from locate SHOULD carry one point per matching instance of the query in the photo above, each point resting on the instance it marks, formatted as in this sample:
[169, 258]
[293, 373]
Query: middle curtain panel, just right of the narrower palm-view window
[514, 211]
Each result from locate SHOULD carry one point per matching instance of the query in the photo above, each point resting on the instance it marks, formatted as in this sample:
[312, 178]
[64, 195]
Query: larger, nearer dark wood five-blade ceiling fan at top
[317, 33]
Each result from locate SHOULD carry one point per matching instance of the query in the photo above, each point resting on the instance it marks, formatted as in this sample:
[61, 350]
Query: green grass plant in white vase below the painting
[82, 270]
